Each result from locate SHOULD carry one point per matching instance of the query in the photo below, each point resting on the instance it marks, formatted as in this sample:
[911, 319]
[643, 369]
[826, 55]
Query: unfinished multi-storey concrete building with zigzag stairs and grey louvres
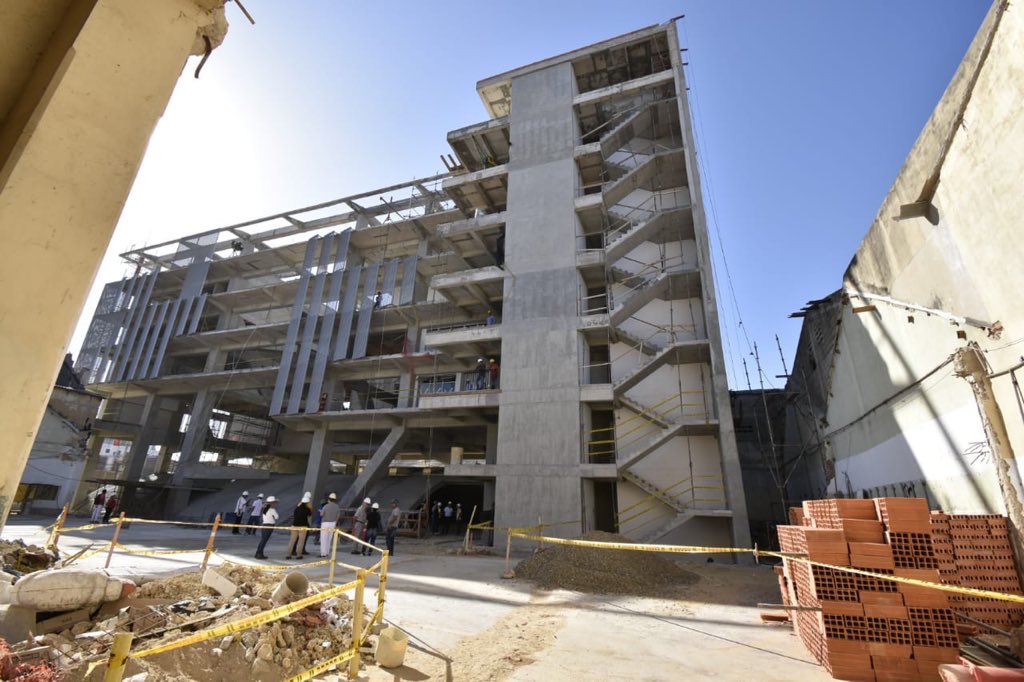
[533, 333]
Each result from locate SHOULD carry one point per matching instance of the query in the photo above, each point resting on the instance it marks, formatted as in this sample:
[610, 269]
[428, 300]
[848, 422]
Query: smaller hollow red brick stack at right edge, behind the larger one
[974, 551]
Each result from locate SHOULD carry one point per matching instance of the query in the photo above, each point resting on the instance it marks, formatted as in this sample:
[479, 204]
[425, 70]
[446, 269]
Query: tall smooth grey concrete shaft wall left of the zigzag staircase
[538, 463]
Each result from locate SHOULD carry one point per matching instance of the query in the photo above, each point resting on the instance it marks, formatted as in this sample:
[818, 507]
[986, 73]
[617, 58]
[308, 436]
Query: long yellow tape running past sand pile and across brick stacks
[689, 549]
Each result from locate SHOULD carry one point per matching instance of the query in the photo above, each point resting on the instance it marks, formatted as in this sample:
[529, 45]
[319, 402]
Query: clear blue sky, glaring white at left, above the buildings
[805, 113]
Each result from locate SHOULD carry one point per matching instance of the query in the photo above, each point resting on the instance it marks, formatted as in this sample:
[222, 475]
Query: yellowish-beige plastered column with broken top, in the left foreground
[92, 78]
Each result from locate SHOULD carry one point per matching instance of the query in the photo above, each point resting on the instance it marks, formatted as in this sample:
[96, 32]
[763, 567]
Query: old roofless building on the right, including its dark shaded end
[883, 411]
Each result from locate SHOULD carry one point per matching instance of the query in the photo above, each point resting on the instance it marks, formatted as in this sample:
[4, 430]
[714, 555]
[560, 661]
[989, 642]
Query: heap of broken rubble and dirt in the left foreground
[167, 610]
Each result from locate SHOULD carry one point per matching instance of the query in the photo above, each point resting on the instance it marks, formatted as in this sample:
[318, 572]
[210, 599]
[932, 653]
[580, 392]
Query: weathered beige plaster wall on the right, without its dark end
[971, 265]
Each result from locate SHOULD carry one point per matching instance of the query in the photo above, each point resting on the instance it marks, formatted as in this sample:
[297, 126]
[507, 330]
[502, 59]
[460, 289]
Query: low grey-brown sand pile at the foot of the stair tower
[604, 571]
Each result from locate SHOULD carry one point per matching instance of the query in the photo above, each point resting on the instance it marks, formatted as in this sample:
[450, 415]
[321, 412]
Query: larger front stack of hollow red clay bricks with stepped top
[869, 628]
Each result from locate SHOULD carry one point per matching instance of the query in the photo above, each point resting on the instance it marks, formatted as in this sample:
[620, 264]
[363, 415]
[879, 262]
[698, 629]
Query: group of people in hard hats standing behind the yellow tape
[367, 524]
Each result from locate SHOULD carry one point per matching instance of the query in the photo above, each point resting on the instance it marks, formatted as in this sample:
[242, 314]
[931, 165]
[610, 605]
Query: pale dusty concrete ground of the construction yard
[495, 629]
